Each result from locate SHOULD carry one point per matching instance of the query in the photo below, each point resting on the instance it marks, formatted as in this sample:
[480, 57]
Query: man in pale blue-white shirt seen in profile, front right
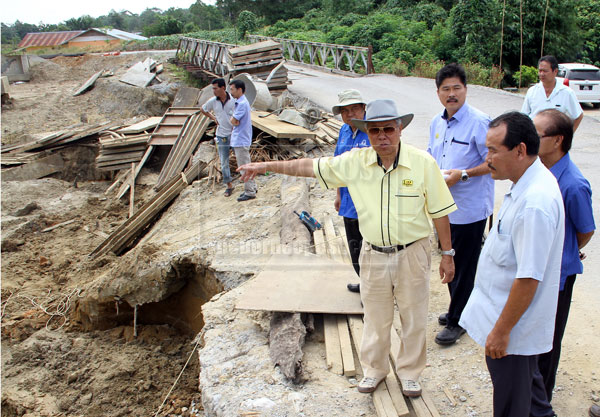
[518, 273]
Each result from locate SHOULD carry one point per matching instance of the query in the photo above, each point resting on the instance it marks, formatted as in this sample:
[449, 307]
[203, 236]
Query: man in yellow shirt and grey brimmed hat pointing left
[396, 189]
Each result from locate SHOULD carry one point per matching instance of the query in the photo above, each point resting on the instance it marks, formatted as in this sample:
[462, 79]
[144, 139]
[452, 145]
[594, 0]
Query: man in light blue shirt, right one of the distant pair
[241, 136]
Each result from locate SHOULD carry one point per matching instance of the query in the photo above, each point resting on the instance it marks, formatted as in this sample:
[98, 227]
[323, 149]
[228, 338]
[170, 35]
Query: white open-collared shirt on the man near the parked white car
[562, 98]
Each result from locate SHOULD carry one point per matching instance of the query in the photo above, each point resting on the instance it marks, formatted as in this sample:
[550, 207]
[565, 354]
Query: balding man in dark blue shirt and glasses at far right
[556, 135]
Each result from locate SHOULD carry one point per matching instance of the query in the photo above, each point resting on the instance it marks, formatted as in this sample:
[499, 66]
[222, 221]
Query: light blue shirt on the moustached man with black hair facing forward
[459, 143]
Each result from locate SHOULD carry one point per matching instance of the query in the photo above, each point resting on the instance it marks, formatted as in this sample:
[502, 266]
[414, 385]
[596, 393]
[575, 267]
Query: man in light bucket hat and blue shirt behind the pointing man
[350, 106]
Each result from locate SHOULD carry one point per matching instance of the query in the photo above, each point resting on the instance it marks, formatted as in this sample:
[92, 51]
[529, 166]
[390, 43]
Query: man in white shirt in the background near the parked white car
[549, 94]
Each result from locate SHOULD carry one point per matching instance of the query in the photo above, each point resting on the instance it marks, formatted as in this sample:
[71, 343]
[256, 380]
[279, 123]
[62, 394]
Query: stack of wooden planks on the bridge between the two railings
[260, 59]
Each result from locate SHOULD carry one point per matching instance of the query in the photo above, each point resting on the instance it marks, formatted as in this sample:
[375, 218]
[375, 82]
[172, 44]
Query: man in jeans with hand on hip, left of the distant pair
[220, 108]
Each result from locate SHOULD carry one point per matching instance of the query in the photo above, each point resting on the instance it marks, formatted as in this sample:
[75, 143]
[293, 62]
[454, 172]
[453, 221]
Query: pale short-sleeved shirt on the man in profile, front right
[526, 241]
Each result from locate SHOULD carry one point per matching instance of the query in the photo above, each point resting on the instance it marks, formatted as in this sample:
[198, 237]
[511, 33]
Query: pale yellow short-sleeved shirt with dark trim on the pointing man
[393, 207]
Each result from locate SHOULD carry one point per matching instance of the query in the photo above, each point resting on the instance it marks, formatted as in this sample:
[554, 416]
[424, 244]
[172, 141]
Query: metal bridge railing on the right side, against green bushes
[354, 59]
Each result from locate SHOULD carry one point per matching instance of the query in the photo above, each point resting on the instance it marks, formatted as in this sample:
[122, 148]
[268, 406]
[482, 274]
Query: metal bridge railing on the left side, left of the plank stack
[207, 55]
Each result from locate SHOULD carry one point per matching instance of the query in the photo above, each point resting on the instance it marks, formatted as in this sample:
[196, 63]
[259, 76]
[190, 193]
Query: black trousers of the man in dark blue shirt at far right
[548, 362]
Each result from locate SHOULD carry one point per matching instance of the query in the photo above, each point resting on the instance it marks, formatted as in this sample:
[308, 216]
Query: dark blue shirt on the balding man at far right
[579, 216]
